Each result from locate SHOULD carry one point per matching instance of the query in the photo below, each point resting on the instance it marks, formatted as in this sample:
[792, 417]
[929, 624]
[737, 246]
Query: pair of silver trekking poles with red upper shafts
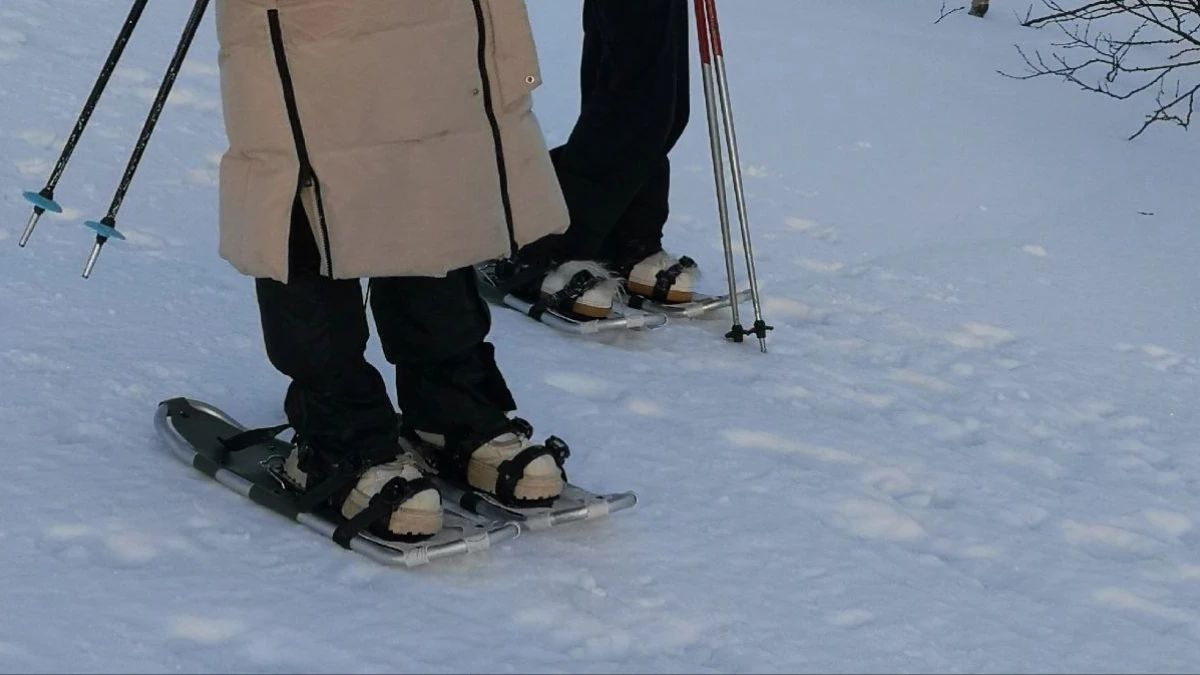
[717, 94]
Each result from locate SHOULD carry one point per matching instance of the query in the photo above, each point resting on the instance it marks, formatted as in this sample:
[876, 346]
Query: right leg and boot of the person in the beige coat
[451, 390]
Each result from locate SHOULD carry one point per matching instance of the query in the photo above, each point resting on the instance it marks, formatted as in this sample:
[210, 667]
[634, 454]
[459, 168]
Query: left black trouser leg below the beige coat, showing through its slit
[316, 333]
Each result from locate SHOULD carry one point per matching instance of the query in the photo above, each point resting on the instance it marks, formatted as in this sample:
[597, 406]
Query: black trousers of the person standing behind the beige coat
[614, 169]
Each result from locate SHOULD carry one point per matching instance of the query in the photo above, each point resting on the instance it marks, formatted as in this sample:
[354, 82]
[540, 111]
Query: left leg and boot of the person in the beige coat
[346, 431]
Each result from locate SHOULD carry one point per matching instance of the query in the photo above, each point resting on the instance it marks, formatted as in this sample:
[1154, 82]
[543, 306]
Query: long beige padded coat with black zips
[407, 126]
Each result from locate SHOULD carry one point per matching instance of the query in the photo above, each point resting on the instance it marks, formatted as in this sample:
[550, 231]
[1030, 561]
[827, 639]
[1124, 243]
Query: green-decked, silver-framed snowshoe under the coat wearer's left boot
[194, 432]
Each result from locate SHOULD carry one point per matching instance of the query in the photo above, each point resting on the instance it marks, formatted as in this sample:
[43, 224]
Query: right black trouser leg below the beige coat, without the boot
[435, 331]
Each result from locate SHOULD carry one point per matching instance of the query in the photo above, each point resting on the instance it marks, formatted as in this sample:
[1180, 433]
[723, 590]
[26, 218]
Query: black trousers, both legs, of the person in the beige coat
[433, 330]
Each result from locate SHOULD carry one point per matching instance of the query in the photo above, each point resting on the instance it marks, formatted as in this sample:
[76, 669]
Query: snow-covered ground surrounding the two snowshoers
[971, 447]
